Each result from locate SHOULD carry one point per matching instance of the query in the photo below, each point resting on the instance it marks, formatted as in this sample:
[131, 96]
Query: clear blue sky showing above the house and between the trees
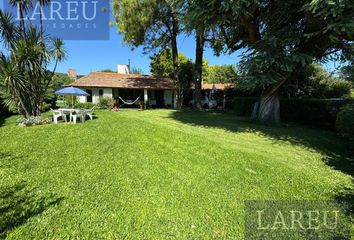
[91, 55]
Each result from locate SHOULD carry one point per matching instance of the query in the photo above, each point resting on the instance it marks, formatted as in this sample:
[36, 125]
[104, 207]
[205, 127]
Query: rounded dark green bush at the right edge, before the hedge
[345, 122]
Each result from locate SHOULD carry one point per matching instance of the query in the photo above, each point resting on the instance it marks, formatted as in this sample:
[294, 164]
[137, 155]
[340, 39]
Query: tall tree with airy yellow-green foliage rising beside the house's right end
[154, 24]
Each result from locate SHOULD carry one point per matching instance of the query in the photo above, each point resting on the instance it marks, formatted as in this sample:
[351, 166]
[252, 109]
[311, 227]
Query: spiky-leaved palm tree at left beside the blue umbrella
[24, 70]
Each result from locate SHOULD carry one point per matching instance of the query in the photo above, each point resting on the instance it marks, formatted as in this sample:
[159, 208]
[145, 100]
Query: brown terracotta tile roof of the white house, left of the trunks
[117, 80]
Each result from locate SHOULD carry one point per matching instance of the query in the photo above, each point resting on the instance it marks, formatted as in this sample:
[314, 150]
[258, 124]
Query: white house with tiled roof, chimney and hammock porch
[153, 90]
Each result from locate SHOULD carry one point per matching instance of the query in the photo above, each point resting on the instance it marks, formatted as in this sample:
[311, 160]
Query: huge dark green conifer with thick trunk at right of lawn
[281, 36]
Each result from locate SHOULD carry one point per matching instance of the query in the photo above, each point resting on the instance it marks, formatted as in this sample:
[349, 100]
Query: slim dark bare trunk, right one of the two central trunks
[198, 75]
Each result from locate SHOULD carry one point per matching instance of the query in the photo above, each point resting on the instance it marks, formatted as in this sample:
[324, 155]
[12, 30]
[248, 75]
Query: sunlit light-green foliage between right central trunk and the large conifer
[220, 74]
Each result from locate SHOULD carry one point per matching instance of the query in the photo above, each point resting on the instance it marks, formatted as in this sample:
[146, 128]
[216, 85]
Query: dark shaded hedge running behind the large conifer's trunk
[316, 112]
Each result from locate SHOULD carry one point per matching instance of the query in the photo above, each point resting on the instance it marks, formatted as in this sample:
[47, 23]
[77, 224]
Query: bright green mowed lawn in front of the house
[159, 174]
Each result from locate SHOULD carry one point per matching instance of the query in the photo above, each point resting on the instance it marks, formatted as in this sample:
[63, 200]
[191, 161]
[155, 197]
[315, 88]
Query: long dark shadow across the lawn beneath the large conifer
[339, 152]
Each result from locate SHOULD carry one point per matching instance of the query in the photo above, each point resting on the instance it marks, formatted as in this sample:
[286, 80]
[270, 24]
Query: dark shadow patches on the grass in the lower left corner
[19, 202]
